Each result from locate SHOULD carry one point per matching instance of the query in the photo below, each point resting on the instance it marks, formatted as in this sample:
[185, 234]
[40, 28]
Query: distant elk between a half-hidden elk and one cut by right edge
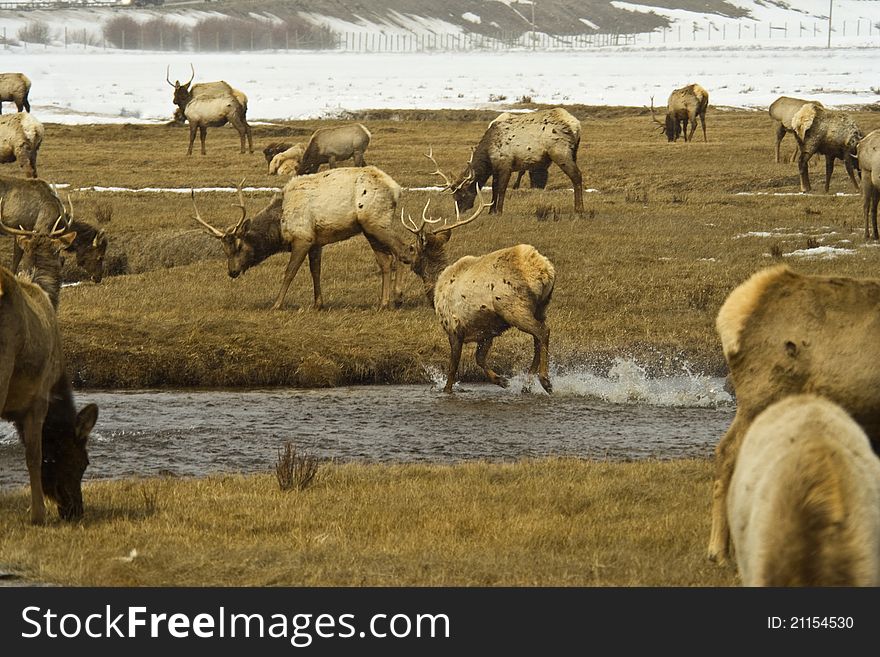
[831, 133]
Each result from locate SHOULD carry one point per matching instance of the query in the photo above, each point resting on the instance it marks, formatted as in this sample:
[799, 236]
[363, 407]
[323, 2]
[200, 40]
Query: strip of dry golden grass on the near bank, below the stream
[548, 522]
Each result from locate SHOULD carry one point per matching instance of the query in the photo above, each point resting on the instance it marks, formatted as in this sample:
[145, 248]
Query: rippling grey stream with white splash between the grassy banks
[624, 415]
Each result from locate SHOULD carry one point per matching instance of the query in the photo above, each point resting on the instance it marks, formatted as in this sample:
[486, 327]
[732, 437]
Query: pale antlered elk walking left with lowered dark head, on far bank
[313, 211]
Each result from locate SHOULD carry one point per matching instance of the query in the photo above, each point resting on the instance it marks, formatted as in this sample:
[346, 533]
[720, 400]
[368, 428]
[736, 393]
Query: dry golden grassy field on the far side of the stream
[640, 274]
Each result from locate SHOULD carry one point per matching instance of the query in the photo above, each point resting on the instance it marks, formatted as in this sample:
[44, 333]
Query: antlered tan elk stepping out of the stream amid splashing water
[478, 298]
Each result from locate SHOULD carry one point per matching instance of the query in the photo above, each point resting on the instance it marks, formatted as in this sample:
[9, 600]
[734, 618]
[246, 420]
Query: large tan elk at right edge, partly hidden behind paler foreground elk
[785, 333]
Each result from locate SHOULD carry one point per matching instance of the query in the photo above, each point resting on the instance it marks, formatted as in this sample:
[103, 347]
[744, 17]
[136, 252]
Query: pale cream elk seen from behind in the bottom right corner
[804, 501]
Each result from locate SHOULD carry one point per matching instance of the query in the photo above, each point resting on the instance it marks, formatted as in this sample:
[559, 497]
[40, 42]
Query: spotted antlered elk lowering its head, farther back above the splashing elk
[521, 143]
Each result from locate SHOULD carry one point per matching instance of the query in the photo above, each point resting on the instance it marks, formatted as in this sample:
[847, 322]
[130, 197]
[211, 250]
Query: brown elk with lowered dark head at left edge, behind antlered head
[34, 204]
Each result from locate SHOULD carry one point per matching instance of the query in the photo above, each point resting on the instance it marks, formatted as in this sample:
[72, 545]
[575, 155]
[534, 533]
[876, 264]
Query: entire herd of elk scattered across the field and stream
[797, 483]
